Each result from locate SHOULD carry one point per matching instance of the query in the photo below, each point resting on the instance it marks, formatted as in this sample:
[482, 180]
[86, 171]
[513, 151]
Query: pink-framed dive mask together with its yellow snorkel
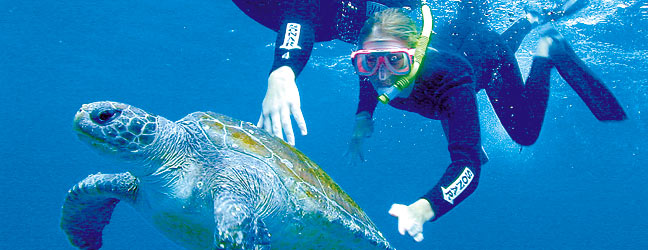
[401, 62]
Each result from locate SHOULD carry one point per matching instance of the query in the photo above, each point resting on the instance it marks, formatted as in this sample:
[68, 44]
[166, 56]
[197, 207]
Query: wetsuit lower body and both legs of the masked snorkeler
[519, 105]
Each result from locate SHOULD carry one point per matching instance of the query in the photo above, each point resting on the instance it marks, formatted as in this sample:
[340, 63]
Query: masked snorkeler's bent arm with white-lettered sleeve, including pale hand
[462, 175]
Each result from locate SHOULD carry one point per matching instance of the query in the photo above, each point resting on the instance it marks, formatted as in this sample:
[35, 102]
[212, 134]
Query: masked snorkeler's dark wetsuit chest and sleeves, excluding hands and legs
[444, 90]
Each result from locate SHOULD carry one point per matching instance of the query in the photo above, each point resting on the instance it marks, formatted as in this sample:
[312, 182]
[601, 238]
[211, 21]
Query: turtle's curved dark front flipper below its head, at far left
[89, 205]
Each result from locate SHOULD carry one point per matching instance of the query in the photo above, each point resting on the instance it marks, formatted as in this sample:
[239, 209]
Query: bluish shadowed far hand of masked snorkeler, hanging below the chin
[362, 129]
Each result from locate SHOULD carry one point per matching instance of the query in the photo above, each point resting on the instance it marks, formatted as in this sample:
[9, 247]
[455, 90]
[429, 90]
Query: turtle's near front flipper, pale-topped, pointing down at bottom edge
[238, 228]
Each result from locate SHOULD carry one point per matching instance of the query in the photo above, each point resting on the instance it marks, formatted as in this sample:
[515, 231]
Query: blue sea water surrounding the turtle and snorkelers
[581, 186]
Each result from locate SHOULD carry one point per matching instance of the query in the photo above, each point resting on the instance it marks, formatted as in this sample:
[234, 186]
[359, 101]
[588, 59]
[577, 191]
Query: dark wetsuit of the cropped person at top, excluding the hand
[301, 23]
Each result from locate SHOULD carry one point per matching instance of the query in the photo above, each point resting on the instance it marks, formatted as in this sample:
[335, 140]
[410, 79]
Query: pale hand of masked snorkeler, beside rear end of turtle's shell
[412, 217]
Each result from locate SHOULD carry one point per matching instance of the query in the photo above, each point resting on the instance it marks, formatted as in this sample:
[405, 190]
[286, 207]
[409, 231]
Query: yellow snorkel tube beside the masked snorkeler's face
[421, 47]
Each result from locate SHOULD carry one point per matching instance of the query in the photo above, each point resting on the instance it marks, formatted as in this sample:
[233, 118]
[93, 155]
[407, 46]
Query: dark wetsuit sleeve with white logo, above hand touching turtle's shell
[296, 35]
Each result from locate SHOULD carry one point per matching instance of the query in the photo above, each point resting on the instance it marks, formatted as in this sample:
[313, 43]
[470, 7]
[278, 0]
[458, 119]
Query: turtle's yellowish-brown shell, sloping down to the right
[311, 180]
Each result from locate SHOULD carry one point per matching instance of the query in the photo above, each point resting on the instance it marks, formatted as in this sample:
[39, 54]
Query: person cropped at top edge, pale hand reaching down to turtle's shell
[299, 24]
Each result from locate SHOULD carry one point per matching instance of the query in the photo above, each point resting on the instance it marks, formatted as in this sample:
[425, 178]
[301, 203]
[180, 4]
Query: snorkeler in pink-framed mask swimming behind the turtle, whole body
[386, 60]
